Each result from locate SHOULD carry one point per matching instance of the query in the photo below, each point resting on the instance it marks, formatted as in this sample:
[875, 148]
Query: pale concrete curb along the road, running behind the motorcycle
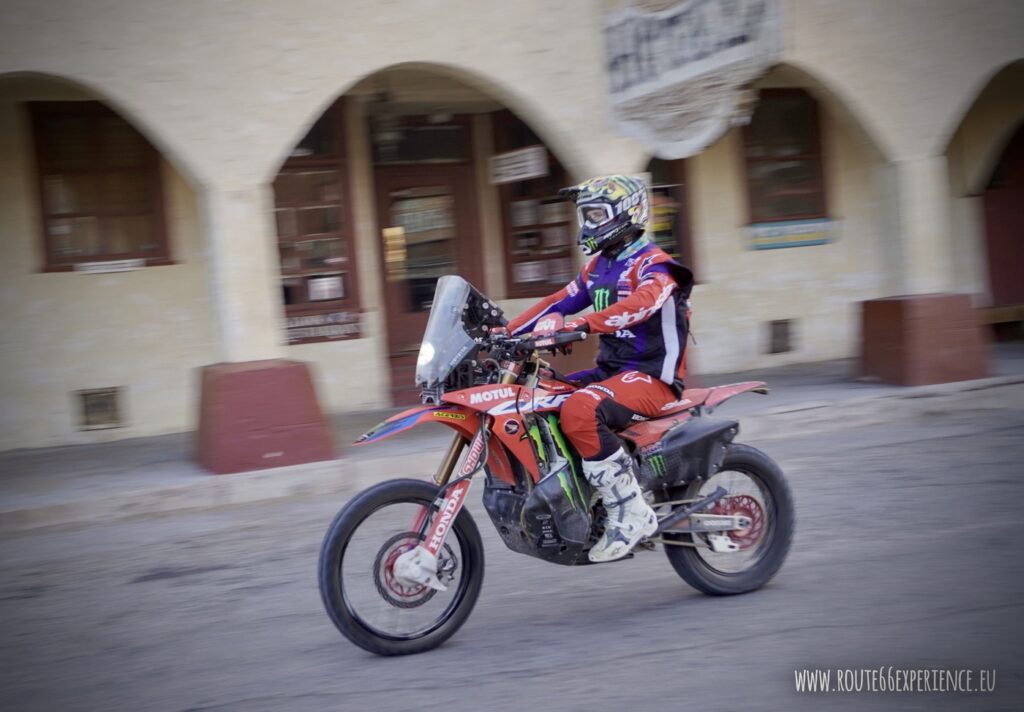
[350, 476]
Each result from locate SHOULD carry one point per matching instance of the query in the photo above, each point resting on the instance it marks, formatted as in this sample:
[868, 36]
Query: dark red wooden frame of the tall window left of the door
[337, 161]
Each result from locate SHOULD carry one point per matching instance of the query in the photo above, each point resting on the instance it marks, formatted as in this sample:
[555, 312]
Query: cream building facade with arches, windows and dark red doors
[196, 183]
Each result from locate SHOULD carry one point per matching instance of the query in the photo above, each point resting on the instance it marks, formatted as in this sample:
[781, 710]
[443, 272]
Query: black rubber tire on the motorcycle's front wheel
[342, 530]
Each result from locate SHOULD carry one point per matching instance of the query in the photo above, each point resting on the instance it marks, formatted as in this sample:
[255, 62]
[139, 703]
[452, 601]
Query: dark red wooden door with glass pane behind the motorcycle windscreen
[430, 229]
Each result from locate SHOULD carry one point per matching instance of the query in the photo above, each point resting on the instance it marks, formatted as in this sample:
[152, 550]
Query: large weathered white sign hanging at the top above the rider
[678, 78]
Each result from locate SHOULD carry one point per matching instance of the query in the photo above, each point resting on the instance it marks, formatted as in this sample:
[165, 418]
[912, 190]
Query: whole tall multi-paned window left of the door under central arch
[315, 237]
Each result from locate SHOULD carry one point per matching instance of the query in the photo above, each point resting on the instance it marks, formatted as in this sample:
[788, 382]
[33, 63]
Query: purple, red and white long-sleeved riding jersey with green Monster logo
[641, 301]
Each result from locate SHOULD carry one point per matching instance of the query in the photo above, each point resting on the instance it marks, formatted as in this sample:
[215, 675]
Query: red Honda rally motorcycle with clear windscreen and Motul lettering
[402, 565]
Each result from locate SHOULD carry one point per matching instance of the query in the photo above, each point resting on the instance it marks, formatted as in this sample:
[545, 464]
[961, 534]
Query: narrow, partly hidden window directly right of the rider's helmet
[670, 219]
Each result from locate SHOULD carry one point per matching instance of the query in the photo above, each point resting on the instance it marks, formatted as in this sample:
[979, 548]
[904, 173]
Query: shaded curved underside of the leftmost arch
[44, 86]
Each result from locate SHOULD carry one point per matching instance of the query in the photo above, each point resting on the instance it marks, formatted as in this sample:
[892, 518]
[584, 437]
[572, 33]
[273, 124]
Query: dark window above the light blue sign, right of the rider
[784, 158]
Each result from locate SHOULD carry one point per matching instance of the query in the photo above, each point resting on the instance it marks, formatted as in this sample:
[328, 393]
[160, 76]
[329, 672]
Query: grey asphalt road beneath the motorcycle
[907, 555]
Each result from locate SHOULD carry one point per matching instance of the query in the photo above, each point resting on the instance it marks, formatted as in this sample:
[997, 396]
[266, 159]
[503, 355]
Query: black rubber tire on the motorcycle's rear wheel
[698, 574]
